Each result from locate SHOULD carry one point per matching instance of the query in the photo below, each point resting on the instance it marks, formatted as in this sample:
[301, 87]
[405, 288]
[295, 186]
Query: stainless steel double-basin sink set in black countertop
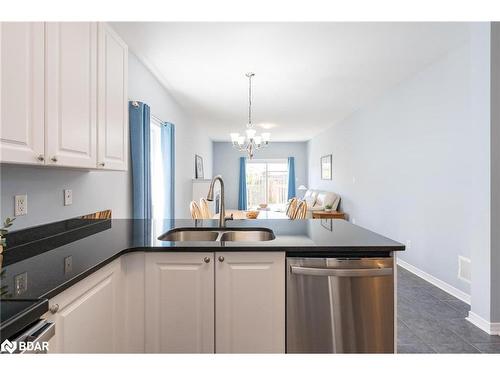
[218, 234]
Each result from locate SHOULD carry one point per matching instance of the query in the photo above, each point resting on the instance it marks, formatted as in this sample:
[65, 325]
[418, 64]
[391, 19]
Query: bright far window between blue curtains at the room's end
[267, 182]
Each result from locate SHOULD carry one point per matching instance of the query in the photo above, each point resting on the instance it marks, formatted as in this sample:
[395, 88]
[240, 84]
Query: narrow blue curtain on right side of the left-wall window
[168, 156]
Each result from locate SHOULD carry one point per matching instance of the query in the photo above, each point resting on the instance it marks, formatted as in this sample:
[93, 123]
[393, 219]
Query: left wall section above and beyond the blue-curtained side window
[189, 138]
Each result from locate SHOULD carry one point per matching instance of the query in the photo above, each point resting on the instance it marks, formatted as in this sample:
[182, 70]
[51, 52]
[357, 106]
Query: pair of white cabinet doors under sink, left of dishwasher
[230, 302]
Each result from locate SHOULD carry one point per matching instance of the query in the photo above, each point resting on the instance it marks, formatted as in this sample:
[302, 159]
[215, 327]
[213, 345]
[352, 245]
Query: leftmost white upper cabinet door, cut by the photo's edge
[22, 92]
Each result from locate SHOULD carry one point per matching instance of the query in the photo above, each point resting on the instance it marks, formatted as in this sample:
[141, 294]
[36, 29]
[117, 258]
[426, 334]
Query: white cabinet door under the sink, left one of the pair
[179, 303]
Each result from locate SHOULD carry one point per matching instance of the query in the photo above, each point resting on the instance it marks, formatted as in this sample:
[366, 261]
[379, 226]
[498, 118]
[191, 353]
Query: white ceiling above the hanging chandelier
[308, 75]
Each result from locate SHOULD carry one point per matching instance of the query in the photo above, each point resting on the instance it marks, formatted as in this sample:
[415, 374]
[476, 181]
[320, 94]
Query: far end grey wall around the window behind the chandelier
[226, 163]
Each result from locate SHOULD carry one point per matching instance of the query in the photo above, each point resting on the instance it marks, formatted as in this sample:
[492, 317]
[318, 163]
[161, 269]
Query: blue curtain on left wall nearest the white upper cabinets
[140, 133]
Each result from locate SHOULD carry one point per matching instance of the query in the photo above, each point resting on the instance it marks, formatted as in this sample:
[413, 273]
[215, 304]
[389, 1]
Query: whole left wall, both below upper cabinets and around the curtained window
[98, 190]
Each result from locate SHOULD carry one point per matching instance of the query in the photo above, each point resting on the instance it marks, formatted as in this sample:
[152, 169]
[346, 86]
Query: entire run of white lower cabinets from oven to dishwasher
[175, 302]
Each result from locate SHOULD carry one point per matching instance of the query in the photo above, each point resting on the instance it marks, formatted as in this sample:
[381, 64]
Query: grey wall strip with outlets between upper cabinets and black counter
[92, 191]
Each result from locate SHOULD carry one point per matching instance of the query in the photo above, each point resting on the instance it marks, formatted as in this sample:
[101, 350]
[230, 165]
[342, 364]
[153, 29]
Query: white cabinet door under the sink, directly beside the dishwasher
[250, 302]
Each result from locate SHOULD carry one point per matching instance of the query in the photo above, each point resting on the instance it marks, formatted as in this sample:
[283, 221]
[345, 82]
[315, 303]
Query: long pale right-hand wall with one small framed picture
[420, 159]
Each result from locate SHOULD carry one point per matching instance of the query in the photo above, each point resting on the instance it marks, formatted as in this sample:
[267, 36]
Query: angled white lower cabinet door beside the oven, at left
[90, 318]
